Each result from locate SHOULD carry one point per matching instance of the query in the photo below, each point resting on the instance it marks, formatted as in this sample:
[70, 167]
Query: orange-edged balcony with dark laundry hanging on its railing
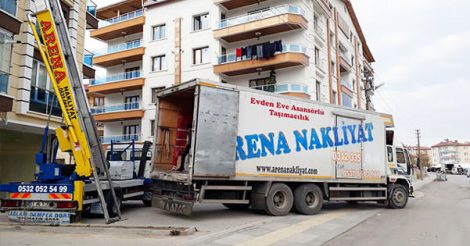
[292, 55]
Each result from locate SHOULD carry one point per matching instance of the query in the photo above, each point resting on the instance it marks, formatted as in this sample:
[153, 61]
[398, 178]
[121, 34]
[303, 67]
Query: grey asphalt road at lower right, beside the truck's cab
[440, 217]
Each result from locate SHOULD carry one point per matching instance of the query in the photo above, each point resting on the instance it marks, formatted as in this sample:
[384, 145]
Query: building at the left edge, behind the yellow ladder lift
[26, 94]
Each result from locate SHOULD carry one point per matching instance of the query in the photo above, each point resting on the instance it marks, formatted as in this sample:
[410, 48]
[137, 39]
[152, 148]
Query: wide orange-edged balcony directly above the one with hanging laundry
[278, 19]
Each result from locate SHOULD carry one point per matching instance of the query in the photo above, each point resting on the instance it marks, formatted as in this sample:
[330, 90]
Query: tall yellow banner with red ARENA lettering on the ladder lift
[60, 81]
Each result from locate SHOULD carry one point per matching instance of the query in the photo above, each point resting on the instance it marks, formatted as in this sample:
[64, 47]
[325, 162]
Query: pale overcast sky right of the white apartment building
[422, 53]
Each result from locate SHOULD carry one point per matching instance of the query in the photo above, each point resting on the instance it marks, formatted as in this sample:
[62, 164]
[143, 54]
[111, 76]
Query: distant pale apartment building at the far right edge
[450, 152]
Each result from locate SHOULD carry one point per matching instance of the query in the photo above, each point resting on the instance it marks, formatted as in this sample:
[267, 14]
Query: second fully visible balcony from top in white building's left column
[119, 54]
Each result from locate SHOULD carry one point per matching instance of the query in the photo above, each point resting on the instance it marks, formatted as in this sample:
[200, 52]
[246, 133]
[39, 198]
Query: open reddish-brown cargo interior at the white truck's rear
[173, 133]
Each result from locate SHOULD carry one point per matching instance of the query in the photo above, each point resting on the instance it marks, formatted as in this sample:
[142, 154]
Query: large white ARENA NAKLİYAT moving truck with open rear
[251, 148]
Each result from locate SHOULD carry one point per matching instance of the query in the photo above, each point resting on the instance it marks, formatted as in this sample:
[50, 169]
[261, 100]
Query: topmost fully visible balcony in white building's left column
[126, 24]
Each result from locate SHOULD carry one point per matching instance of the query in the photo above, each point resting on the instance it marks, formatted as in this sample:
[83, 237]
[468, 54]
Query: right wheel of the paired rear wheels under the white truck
[308, 199]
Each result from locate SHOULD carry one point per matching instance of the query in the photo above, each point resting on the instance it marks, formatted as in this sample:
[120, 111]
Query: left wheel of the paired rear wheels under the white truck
[279, 200]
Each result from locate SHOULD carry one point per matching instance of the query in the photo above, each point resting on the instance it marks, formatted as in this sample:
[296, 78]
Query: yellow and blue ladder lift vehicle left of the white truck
[60, 193]
